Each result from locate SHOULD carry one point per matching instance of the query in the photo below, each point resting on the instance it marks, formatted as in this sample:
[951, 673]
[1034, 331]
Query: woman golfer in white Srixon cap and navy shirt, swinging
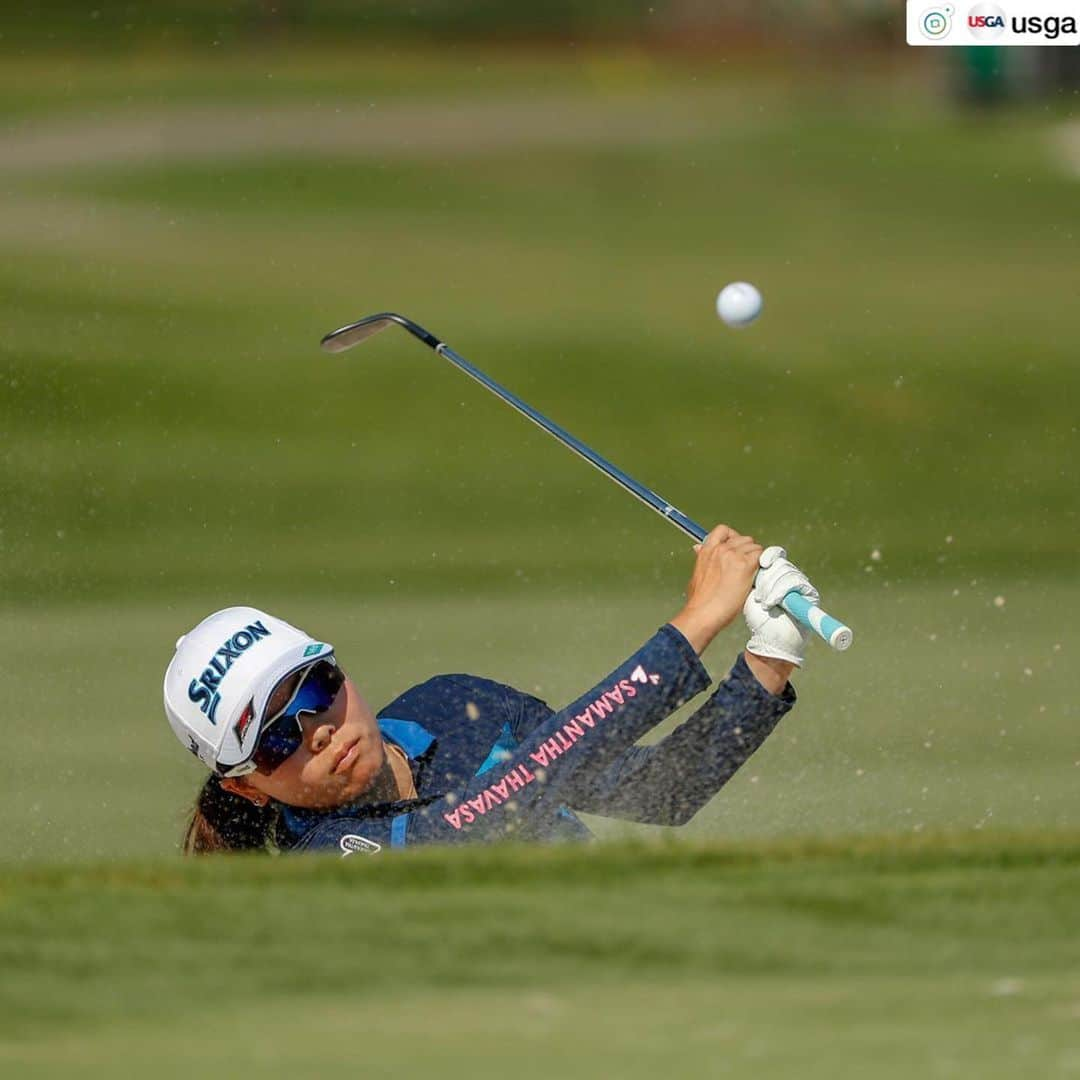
[301, 763]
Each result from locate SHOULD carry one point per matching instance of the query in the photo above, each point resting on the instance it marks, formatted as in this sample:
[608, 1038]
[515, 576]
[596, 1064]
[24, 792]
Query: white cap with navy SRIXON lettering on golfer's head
[224, 672]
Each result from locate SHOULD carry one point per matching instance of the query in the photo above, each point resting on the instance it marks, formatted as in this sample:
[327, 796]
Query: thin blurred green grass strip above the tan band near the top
[64, 85]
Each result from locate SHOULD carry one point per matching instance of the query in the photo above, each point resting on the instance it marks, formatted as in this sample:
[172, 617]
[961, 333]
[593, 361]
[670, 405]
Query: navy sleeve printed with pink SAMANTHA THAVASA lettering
[588, 735]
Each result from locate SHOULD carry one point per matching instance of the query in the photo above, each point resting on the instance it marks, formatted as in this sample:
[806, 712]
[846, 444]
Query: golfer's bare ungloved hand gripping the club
[722, 579]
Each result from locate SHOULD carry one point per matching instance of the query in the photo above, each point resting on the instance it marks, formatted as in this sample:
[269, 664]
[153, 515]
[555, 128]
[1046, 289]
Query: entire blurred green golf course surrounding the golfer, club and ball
[194, 194]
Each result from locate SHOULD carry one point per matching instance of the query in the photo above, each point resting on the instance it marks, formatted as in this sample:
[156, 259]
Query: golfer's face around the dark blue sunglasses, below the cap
[342, 755]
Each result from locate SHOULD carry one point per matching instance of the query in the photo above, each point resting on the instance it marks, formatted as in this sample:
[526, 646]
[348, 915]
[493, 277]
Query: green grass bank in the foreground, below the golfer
[948, 956]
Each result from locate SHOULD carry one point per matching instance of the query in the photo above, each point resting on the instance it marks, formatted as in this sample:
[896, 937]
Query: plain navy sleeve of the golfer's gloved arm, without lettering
[668, 784]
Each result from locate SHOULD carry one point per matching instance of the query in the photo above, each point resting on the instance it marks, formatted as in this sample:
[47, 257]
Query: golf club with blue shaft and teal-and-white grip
[795, 604]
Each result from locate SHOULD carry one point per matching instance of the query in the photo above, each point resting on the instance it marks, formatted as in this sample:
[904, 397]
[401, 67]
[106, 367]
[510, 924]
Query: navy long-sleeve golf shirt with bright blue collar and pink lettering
[493, 763]
